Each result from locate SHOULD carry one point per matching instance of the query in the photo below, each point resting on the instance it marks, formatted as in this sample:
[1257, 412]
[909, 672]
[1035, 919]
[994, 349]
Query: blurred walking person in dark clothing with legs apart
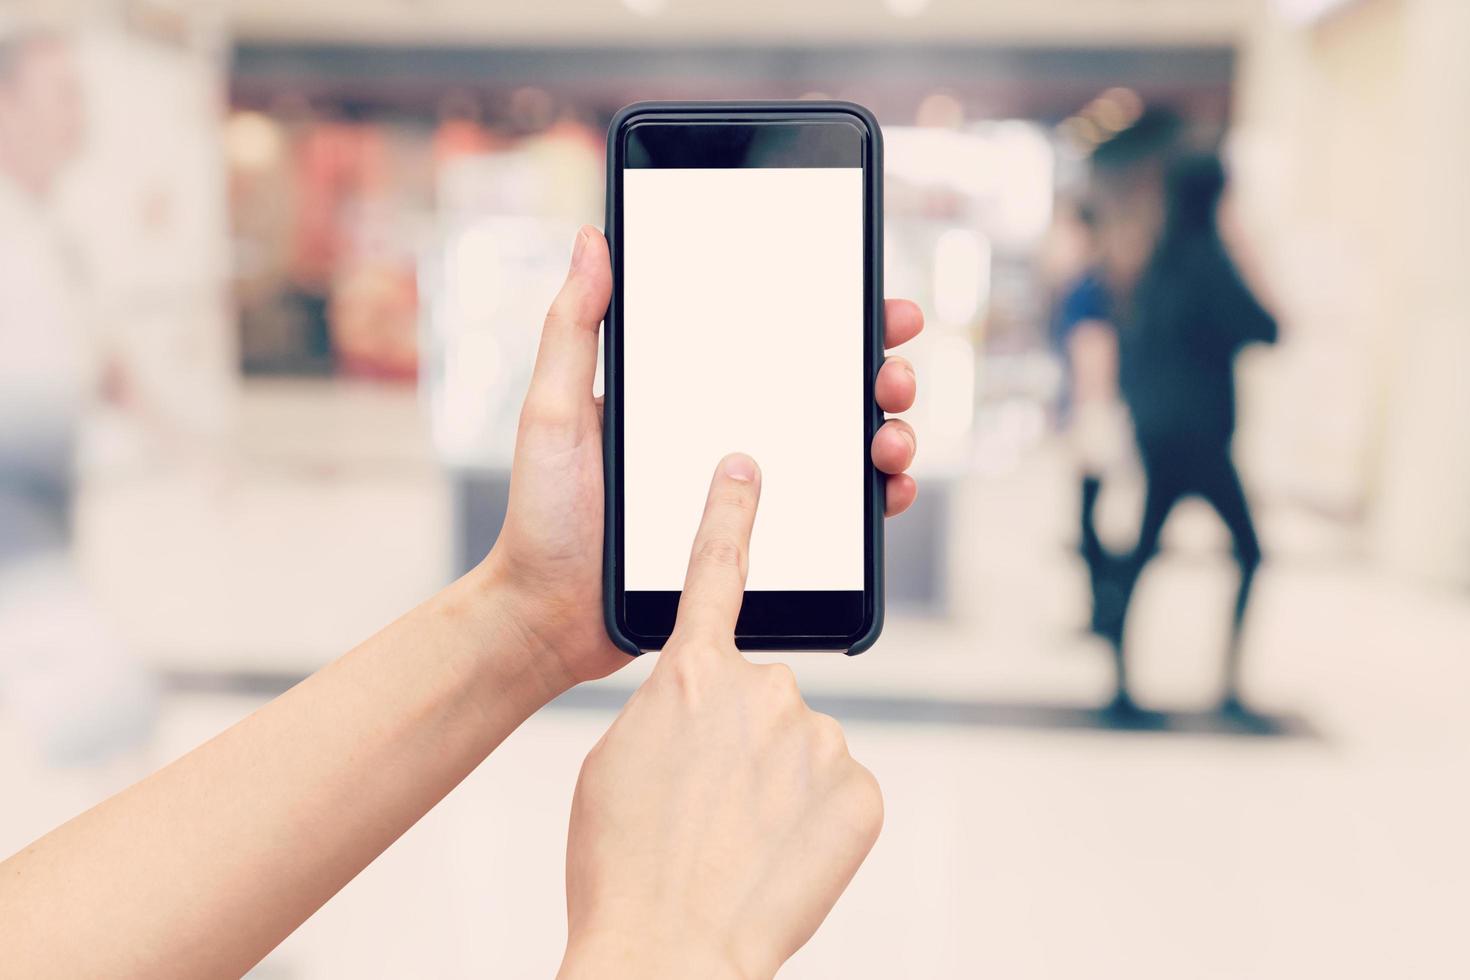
[1181, 328]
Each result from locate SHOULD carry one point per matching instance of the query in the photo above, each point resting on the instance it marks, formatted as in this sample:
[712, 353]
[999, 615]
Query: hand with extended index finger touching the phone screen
[720, 819]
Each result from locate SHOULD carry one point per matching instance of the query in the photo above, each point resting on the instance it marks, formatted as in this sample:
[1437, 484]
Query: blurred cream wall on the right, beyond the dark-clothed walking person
[1350, 156]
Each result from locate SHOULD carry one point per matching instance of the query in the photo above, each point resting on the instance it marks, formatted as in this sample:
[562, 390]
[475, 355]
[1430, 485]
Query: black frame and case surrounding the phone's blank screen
[787, 621]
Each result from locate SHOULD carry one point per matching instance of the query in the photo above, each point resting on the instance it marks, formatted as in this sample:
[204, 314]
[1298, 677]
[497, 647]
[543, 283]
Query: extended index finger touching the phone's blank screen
[715, 586]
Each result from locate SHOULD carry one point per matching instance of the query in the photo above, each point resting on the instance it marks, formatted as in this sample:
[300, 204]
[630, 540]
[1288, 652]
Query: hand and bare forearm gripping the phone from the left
[207, 866]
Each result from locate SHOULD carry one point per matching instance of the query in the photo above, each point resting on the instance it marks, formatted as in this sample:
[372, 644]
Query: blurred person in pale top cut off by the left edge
[61, 669]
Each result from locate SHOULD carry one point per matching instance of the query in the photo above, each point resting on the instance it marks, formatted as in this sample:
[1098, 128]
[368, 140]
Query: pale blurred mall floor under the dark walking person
[1011, 850]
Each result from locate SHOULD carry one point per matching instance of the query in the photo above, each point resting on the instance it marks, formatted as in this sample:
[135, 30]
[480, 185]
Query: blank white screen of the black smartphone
[743, 331]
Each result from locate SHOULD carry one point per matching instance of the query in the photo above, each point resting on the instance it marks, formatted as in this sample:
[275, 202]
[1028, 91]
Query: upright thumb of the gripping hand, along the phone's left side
[567, 361]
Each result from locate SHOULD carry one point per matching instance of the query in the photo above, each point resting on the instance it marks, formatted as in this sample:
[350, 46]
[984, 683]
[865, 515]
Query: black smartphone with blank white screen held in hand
[746, 317]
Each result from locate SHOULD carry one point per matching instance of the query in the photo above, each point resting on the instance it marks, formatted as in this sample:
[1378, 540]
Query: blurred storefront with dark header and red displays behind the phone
[476, 165]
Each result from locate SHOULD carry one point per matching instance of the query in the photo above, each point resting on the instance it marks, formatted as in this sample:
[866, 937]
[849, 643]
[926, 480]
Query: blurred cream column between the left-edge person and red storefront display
[148, 209]
